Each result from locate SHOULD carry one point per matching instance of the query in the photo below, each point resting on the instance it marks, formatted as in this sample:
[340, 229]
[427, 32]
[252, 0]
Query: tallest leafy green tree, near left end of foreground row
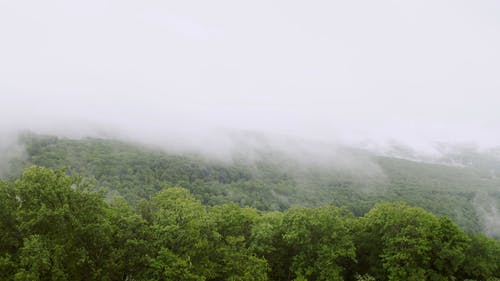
[63, 224]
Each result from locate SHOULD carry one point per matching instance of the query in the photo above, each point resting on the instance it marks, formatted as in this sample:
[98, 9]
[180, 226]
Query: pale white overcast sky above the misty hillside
[408, 70]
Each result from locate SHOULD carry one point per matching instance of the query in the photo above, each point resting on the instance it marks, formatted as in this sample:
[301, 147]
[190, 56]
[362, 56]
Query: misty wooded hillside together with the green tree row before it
[102, 209]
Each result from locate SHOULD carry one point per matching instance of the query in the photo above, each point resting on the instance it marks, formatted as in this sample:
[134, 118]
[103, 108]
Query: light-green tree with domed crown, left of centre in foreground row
[181, 231]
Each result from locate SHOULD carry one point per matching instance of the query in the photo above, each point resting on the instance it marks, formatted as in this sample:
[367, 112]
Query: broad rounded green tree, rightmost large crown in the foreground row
[408, 243]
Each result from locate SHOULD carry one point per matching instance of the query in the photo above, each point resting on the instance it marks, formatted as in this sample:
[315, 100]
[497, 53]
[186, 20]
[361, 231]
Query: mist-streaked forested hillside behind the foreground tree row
[273, 180]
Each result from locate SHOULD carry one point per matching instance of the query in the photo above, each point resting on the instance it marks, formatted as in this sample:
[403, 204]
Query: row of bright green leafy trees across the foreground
[57, 227]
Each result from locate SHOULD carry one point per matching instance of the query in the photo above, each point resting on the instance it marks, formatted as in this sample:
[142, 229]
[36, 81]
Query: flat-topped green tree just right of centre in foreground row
[320, 241]
